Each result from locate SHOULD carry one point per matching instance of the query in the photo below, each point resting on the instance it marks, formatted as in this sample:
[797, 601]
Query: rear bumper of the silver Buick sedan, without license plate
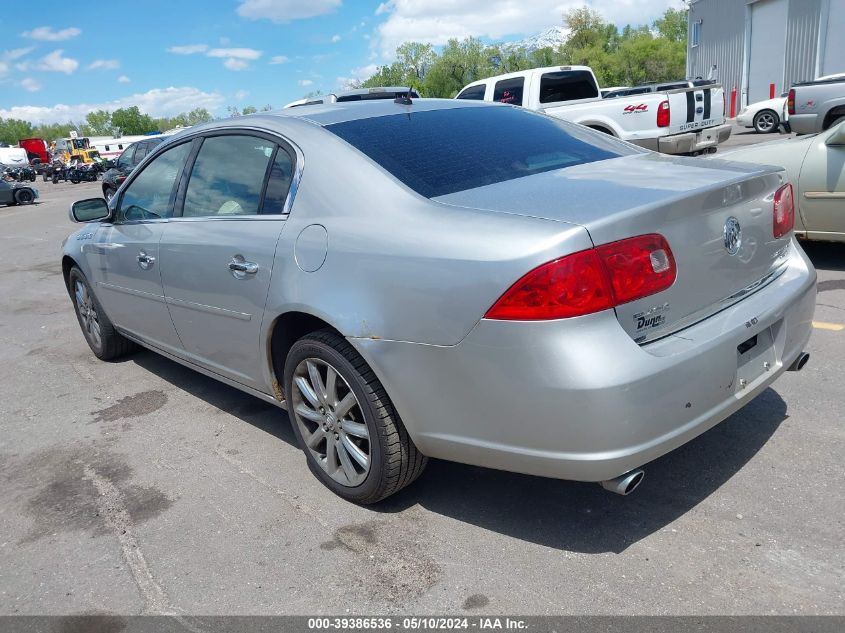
[577, 398]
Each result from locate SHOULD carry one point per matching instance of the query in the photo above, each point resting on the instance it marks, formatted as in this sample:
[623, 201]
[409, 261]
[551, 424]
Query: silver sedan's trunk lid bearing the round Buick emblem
[687, 201]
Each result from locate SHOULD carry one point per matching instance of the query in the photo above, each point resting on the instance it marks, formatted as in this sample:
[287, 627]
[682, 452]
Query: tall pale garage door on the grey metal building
[768, 34]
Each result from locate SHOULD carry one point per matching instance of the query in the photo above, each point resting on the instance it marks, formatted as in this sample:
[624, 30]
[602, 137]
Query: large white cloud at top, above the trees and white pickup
[436, 21]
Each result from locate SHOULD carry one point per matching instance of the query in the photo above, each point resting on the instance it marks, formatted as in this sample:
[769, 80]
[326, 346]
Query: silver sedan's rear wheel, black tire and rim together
[344, 421]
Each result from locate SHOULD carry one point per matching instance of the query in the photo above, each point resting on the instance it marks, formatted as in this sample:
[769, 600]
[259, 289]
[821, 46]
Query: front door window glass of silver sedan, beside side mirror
[149, 195]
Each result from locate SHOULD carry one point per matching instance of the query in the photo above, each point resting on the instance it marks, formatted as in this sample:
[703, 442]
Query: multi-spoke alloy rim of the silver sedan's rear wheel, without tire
[331, 422]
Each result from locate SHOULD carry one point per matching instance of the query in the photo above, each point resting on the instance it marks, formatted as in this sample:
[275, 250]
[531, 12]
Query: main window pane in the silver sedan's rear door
[228, 176]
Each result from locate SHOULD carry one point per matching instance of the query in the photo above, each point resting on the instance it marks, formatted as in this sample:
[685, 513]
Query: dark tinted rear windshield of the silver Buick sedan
[439, 152]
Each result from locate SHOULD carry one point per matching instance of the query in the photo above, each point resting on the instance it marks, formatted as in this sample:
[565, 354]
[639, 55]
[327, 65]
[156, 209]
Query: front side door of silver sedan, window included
[124, 255]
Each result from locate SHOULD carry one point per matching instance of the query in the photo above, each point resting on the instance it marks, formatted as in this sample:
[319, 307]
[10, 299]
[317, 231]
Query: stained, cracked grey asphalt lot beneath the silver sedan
[140, 486]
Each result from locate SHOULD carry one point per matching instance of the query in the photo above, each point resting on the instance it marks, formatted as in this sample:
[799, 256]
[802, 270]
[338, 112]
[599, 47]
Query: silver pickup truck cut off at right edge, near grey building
[815, 106]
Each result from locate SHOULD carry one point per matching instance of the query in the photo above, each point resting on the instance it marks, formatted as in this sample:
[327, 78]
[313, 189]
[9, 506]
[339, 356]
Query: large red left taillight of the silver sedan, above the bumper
[589, 281]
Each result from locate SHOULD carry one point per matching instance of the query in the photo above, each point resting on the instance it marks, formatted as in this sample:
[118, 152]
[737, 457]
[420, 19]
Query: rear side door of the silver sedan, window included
[217, 257]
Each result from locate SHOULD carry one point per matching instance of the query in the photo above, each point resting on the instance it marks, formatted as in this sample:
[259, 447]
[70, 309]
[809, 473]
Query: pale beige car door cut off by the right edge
[822, 183]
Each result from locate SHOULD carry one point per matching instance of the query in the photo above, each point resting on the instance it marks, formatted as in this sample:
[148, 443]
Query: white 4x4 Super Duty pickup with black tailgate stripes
[687, 120]
